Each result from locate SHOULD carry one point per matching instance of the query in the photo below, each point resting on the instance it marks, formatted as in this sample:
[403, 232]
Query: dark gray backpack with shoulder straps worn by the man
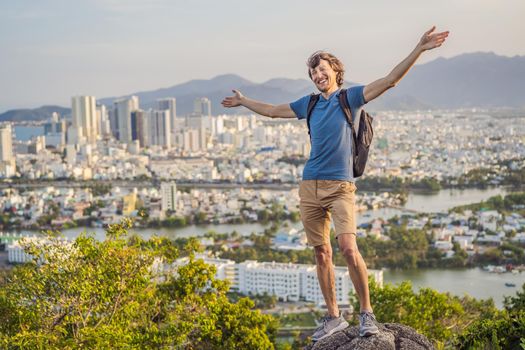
[361, 140]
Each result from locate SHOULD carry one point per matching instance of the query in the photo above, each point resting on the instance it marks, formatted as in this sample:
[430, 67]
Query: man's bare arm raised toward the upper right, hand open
[428, 41]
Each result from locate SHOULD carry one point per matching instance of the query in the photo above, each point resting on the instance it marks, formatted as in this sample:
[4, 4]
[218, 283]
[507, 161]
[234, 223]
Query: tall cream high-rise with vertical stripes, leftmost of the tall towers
[84, 118]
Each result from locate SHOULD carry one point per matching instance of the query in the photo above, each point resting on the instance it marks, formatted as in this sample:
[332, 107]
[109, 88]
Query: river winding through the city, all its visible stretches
[475, 282]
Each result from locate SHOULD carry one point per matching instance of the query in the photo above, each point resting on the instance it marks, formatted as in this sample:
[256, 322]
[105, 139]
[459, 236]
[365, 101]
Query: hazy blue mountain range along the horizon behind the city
[469, 80]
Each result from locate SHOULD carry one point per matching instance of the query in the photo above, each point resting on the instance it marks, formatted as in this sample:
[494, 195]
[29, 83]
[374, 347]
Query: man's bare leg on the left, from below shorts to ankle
[326, 277]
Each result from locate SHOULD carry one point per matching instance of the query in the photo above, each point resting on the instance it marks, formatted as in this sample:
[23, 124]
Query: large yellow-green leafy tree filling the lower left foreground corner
[114, 294]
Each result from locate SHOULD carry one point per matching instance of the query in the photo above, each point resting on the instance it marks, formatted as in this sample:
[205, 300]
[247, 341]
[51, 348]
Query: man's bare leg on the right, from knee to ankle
[356, 267]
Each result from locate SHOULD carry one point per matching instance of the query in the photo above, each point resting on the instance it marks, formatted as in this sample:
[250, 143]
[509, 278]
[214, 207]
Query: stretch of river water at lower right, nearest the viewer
[474, 282]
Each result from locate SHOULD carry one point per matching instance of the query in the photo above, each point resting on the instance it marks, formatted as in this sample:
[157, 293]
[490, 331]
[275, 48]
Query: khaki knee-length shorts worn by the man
[322, 199]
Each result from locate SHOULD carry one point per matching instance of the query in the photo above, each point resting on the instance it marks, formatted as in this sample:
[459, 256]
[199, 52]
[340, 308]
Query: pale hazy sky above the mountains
[54, 49]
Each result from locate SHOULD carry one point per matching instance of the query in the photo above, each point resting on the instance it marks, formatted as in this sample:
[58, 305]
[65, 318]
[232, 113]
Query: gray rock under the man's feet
[392, 336]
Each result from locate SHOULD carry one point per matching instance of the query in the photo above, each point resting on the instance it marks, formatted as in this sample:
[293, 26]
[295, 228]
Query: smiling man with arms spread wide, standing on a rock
[328, 188]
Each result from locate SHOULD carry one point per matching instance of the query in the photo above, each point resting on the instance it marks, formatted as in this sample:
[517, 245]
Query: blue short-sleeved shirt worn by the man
[331, 135]
